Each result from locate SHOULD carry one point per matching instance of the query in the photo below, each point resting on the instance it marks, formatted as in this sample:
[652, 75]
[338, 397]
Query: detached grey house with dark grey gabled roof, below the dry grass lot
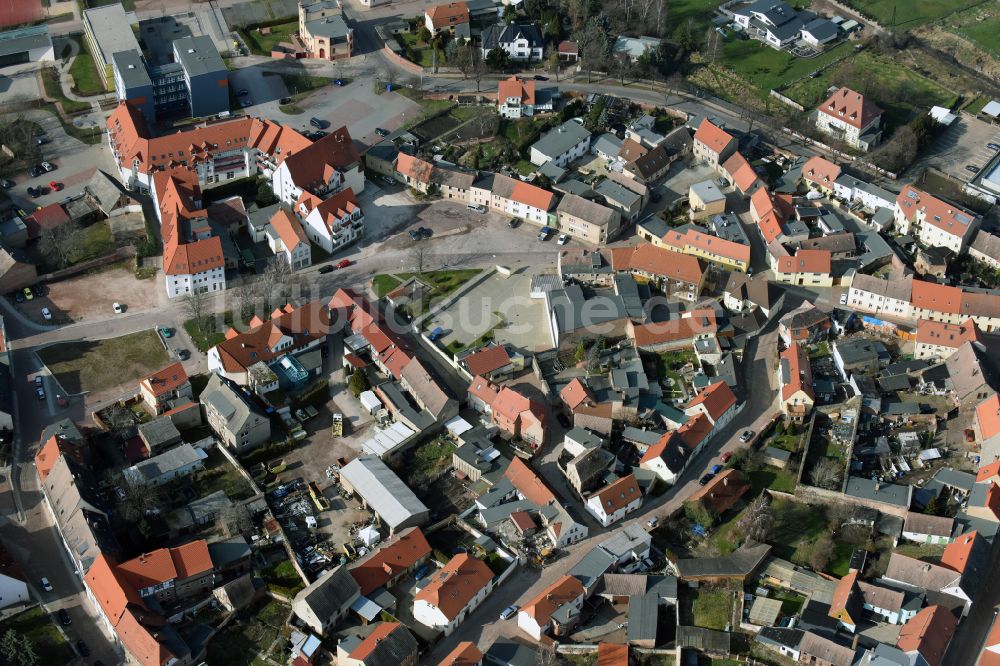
[237, 423]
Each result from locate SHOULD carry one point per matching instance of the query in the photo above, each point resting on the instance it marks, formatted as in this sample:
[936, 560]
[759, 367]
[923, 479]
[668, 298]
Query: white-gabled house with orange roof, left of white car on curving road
[453, 593]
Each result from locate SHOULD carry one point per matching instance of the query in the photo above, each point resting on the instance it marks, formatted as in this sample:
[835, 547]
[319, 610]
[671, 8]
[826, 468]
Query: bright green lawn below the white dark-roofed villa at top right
[767, 68]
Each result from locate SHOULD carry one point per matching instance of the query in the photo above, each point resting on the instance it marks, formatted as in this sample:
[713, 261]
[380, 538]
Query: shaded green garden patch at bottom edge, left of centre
[242, 642]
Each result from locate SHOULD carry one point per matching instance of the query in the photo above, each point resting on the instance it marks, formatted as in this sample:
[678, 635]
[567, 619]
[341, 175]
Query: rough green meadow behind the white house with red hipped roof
[894, 86]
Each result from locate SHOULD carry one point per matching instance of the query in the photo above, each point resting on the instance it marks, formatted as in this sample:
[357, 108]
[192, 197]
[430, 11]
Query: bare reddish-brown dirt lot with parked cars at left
[93, 294]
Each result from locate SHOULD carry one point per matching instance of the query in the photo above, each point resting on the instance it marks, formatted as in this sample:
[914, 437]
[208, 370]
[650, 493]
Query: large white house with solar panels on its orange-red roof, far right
[935, 222]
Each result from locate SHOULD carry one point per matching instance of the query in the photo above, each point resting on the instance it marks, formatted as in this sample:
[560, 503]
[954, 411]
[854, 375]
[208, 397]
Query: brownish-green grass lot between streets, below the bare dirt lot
[91, 366]
